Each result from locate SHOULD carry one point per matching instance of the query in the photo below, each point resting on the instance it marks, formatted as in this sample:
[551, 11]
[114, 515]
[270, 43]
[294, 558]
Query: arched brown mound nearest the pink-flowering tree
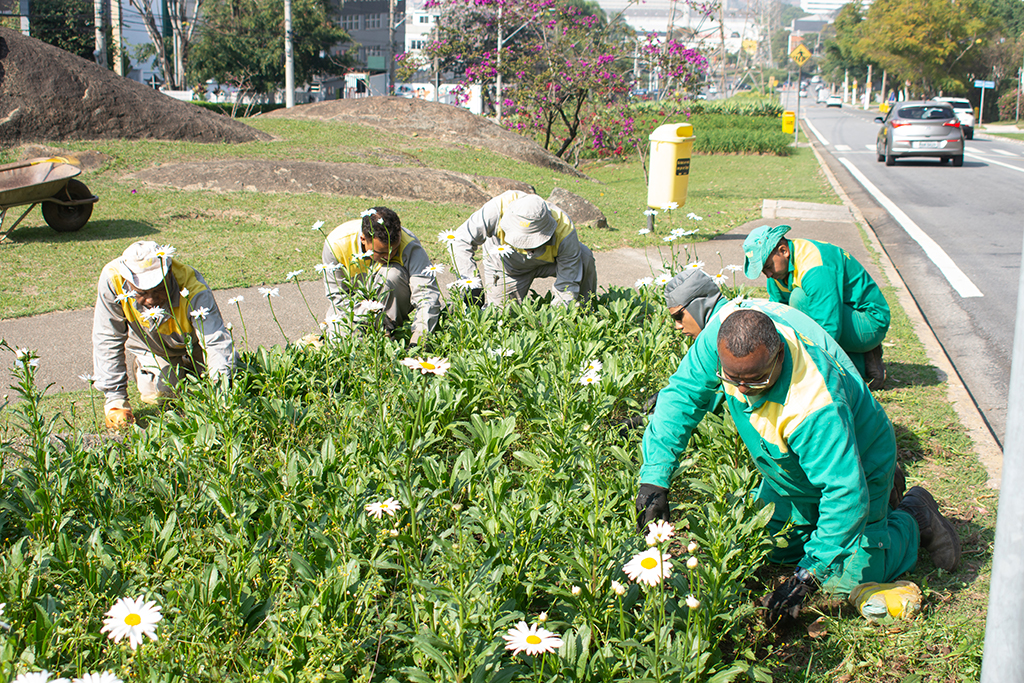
[416, 118]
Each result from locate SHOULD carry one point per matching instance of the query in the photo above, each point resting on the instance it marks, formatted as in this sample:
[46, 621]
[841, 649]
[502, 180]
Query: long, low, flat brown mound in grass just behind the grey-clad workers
[354, 180]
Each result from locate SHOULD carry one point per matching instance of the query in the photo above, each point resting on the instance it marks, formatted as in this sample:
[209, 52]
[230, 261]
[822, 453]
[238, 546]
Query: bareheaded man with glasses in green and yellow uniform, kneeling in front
[825, 448]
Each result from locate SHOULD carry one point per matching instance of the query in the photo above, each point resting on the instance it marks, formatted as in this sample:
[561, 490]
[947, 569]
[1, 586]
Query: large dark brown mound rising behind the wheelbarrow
[50, 95]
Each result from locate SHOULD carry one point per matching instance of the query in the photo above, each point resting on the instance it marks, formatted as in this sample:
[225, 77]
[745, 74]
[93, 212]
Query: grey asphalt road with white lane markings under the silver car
[955, 235]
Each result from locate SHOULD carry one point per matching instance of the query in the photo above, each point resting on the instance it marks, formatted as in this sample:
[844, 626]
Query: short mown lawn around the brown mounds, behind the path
[220, 234]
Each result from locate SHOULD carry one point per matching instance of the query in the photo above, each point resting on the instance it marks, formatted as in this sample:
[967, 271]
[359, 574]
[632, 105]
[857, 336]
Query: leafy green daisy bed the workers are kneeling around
[243, 514]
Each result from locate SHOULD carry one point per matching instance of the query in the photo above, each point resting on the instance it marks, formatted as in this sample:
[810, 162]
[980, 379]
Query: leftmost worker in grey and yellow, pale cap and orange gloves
[162, 313]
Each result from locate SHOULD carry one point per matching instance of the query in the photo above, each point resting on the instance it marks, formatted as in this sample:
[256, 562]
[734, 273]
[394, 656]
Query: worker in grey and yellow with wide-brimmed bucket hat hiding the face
[525, 238]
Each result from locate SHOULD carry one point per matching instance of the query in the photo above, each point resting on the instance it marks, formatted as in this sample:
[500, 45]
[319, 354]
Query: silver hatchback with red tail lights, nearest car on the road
[920, 130]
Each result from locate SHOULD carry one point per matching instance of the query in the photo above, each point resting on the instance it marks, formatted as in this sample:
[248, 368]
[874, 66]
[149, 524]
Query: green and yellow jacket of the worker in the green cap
[830, 279]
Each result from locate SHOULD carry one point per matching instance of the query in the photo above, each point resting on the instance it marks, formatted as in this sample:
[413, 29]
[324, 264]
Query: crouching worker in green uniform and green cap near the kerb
[831, 287]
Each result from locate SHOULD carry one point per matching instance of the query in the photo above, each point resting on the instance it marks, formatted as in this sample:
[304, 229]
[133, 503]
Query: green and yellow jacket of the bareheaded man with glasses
[818, 436]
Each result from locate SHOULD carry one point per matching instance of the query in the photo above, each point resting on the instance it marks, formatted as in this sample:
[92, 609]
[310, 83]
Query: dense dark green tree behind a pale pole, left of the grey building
[243, 41]
